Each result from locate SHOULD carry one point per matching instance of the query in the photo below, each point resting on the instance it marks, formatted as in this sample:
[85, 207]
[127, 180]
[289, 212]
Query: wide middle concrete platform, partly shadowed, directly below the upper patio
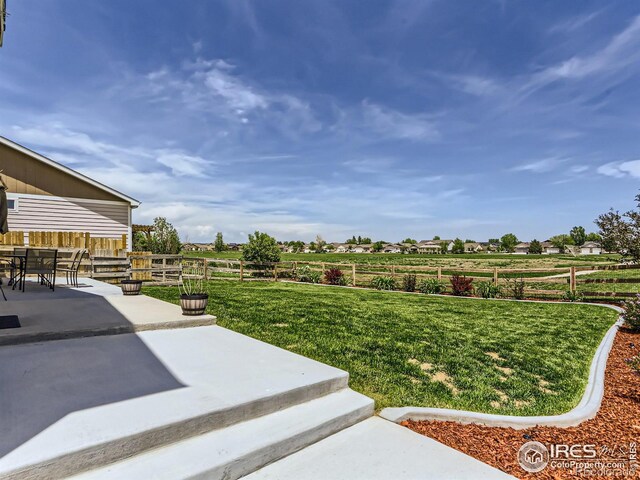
[84, 403]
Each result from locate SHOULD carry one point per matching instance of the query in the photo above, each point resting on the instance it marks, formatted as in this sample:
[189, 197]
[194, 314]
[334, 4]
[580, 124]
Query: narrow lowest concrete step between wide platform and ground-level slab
[243, 448]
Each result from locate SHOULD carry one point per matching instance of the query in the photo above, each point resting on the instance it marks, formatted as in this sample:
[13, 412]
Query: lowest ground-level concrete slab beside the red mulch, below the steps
[378, 449]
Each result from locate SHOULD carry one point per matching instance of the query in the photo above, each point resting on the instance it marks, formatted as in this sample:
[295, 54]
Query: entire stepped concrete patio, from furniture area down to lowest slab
[101, 386]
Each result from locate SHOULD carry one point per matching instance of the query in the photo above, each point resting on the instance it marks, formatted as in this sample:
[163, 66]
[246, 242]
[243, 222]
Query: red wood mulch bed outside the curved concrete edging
[616, 425]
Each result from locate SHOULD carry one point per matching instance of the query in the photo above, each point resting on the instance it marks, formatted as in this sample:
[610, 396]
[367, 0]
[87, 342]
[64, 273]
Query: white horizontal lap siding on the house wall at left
[47, 213]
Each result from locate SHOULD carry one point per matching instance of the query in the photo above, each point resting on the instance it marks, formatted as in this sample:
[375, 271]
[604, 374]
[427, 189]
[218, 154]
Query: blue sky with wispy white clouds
[380, 118]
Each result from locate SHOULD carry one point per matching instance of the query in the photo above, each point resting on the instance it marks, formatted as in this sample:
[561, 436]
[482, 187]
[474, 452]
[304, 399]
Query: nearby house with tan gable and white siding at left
[44, 195]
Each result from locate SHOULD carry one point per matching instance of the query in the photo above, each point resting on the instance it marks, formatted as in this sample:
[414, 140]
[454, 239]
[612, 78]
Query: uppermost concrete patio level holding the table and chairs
[93, 308]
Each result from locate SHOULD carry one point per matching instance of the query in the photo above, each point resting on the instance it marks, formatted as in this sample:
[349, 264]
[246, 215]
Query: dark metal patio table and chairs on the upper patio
[41, 262]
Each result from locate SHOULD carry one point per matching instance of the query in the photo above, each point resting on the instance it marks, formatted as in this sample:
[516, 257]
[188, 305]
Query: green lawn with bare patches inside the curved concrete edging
[403, 349]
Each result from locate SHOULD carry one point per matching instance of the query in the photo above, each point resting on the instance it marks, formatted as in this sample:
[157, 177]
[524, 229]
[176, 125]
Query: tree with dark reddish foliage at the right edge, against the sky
[621, 232]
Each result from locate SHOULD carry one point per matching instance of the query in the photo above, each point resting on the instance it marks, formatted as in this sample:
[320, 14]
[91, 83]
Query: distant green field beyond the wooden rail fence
[467, 261]
